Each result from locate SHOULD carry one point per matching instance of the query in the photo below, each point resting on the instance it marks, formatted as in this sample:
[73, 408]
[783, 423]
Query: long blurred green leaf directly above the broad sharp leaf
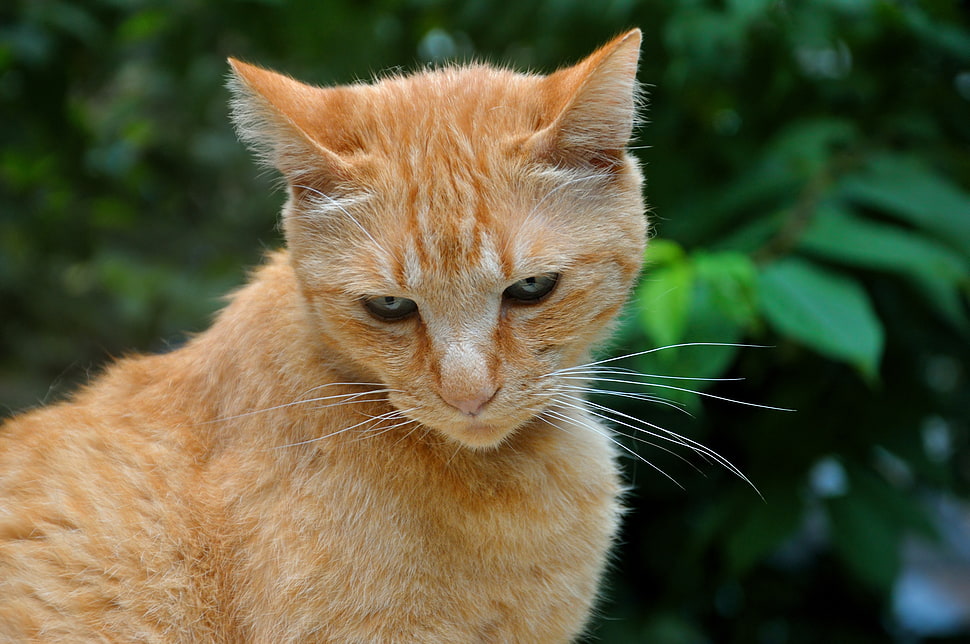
[939, 272]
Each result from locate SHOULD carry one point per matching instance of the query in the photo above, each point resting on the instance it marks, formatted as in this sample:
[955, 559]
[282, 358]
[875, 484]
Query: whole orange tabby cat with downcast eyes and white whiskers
[369, 444]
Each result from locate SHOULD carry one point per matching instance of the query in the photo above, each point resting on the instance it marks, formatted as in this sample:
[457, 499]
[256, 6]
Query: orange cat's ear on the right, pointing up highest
[593, 107]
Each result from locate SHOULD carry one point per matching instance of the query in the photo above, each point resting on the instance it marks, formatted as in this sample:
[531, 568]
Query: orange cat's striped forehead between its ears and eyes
[453, 206]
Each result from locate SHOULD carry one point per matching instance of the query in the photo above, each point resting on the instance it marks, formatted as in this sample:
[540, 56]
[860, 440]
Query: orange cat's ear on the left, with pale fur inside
[285, 122]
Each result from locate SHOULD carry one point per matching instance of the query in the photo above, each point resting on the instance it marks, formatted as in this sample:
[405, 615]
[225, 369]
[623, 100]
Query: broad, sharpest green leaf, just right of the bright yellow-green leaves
[827, 311]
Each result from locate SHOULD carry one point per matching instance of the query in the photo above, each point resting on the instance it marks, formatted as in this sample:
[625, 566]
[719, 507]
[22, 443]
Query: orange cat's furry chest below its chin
[353, 551]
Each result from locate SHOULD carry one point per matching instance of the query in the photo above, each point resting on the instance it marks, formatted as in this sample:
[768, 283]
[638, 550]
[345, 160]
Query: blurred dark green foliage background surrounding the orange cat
[808, 170]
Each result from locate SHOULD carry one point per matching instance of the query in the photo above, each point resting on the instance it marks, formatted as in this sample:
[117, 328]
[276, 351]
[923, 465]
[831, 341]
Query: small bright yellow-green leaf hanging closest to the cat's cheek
[664, 297]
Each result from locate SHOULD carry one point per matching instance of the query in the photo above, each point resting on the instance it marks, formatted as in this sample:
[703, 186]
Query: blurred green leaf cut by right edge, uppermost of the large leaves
[908, 189]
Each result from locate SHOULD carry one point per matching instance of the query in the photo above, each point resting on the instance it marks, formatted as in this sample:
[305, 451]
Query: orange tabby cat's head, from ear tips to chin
[459, 234]
